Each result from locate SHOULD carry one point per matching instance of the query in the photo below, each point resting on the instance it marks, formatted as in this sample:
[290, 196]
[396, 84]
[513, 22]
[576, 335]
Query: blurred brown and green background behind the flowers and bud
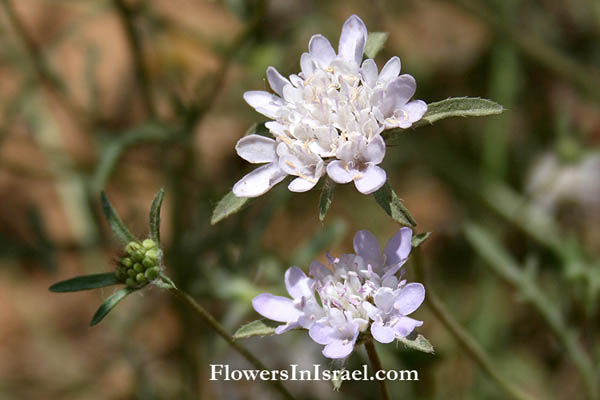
[131, 96]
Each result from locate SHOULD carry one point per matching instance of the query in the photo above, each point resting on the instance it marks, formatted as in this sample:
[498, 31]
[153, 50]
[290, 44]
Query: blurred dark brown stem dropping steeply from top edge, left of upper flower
[126, 15]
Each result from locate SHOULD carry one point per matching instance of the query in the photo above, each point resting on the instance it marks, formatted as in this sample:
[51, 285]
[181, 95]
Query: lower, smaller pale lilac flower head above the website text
[357, 293]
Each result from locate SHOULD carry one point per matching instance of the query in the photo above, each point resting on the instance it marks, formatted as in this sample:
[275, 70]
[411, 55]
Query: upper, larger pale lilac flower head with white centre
[328, 118]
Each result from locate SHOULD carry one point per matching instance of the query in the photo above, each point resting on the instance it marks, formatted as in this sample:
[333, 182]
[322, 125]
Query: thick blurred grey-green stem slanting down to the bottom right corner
[507, 268]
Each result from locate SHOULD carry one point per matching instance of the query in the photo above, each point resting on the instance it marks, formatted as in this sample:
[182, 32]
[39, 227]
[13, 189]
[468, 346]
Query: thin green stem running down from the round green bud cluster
[214, 324]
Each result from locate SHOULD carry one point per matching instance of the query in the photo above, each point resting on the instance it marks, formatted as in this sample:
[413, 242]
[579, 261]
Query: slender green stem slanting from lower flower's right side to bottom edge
[472, 348]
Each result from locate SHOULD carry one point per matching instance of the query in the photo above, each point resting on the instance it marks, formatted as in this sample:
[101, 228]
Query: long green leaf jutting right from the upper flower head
[452, 107]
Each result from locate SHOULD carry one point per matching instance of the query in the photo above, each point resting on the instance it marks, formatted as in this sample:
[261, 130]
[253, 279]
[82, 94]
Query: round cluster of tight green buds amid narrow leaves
[141, 264]
